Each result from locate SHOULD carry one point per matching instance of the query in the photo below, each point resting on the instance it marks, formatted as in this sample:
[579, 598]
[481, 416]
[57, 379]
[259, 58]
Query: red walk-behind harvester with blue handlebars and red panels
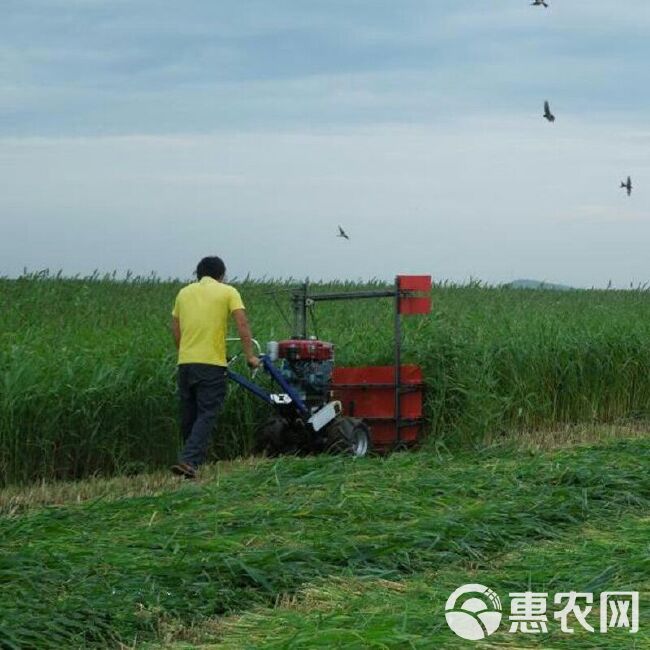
[320, 407]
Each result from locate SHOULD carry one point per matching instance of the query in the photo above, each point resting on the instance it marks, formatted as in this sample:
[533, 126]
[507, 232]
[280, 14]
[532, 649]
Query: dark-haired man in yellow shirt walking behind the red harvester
[200, 325]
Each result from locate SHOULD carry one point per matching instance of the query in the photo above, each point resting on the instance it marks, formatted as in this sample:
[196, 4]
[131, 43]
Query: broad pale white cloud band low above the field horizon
[493, 199]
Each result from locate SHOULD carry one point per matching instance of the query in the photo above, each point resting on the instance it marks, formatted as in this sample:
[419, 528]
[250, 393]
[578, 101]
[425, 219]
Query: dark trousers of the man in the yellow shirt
[202, 389]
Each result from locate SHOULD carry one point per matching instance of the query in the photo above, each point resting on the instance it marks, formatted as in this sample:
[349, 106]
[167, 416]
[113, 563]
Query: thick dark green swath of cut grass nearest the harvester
[103, 572]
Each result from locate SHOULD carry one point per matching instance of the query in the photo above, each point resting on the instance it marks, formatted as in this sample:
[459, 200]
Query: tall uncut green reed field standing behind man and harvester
[87, 380]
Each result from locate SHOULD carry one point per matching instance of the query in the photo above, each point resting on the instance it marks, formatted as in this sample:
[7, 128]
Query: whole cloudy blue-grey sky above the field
[142, 135]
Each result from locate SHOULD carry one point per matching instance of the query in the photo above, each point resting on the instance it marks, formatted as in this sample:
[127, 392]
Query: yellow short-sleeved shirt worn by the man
[202, 309]
